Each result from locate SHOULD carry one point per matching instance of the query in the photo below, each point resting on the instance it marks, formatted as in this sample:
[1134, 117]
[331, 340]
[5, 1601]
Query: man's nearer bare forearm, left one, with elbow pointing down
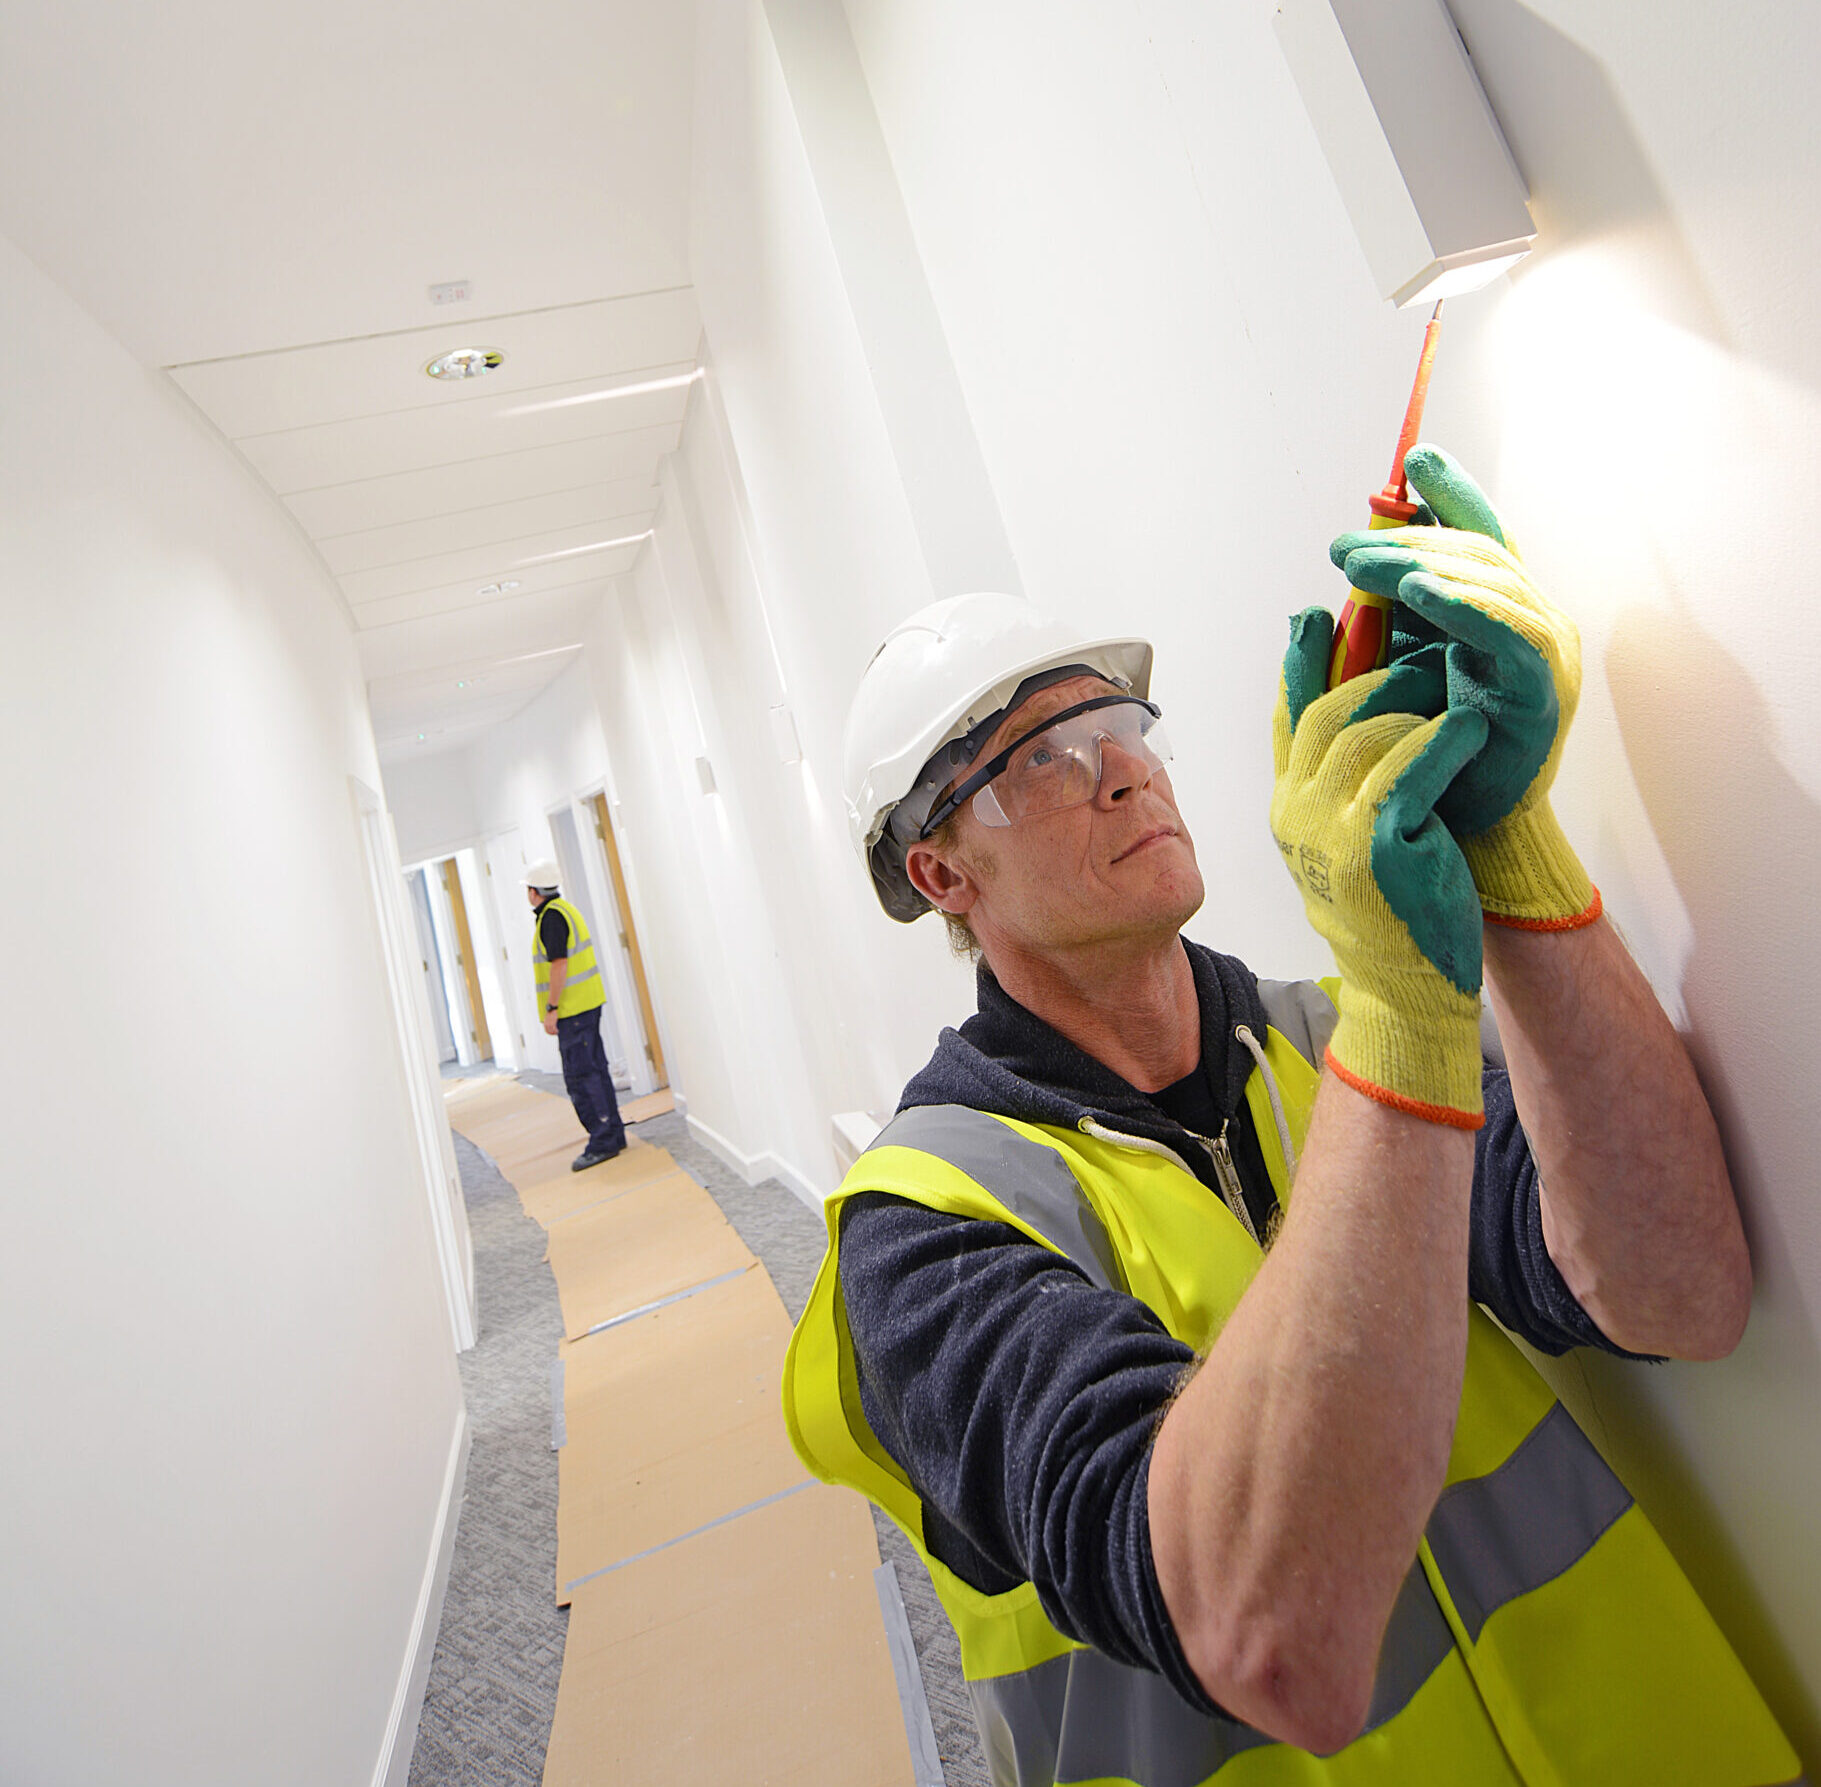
[1294, 1476]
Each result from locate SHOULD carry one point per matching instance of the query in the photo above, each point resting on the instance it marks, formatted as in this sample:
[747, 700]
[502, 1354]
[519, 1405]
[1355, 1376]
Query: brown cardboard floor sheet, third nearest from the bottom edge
[633, 1251]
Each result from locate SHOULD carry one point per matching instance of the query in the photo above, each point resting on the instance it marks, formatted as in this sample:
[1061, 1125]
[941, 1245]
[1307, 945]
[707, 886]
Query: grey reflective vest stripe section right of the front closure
[1501, 1537]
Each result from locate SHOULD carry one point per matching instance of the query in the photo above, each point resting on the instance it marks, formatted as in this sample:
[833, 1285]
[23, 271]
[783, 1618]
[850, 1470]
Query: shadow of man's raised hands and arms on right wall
[1744, 844]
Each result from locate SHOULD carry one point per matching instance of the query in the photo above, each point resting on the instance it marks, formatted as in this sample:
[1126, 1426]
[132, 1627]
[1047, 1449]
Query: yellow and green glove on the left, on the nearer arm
[1359, 777]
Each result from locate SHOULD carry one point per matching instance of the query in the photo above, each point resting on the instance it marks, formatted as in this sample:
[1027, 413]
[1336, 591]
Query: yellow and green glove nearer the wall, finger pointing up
[1512, 657]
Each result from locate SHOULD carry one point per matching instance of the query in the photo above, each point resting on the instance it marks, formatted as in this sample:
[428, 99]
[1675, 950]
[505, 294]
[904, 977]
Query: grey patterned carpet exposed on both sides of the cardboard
[500, 1651]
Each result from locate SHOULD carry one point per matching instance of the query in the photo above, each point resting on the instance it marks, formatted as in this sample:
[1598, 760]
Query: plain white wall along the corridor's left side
[232, 1396]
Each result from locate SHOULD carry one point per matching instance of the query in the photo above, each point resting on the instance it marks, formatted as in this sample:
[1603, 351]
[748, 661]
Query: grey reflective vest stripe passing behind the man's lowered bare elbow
[1086, 1719]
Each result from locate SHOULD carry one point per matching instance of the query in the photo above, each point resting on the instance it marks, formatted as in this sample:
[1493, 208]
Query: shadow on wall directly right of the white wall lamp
[1591, 179]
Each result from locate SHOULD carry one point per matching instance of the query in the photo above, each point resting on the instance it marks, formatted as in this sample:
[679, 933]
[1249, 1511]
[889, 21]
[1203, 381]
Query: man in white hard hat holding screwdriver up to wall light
[1172, 1316]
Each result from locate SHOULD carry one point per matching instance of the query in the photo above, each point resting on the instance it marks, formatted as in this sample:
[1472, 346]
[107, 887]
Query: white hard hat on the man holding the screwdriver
[935, 680]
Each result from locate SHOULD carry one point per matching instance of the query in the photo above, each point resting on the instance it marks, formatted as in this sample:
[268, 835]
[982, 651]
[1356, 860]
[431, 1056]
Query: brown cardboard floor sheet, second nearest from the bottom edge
[671, 1424]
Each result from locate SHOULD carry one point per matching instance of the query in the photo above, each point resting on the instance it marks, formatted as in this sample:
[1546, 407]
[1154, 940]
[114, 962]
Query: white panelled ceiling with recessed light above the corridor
[259, 199]
